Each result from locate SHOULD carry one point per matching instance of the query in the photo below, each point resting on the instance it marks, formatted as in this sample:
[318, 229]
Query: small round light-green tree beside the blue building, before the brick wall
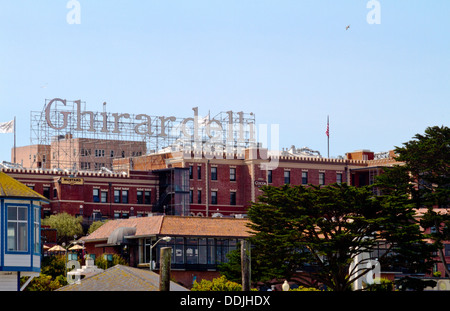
[66, 225]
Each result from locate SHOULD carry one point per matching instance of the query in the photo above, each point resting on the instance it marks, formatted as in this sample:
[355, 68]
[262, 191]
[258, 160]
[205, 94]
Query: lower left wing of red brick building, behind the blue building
[94, 196]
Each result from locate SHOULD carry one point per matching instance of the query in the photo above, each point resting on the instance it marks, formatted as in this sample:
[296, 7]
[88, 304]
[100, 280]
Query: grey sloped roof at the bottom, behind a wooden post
[121, 278]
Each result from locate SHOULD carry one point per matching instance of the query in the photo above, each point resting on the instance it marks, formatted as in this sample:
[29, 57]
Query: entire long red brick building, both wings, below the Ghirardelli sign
[188, 184]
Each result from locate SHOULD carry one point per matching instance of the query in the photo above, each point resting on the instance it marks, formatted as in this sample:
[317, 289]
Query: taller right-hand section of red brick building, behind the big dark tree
[226, 184]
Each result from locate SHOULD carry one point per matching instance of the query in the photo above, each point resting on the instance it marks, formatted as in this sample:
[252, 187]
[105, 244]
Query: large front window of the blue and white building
[17, 236]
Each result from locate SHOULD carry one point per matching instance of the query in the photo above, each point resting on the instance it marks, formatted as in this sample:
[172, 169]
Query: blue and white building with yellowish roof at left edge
[20, 232]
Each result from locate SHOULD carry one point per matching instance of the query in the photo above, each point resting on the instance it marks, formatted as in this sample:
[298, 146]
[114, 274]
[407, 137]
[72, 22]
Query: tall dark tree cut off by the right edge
[423, 176]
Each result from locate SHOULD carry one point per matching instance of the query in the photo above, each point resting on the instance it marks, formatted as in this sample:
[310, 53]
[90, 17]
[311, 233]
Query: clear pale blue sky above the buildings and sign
[291, 63]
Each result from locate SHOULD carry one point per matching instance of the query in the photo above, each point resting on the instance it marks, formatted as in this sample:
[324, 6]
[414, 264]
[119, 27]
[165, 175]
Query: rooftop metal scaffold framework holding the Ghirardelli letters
[69, 128]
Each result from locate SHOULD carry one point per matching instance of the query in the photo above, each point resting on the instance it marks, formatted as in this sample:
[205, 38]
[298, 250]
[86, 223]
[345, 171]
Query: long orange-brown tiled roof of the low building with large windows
[175, 226]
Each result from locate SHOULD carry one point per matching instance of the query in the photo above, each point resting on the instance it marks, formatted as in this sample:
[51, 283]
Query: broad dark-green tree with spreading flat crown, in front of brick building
[322, 229]
